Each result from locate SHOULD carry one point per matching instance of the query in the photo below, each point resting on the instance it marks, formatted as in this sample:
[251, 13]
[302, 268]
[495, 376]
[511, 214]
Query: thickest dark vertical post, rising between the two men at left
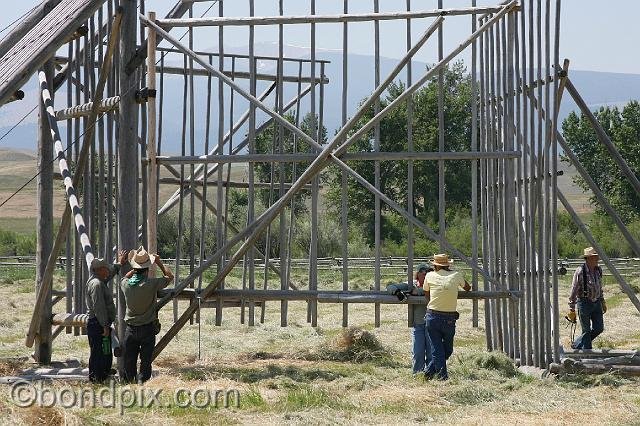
[127, 146]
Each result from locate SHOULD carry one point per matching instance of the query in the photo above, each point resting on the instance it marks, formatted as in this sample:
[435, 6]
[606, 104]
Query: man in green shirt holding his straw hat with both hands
[140, 293]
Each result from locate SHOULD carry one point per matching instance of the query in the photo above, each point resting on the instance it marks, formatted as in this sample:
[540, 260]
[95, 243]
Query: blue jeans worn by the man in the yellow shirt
[441, 329]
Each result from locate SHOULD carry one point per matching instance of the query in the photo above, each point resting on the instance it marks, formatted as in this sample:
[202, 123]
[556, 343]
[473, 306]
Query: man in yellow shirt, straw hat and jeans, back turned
[441, 290]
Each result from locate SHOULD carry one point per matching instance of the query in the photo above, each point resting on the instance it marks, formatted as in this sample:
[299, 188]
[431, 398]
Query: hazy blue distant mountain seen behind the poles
[597, 88]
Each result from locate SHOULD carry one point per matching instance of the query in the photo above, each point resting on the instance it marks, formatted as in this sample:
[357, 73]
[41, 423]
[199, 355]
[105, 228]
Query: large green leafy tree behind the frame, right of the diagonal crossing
[393, 138]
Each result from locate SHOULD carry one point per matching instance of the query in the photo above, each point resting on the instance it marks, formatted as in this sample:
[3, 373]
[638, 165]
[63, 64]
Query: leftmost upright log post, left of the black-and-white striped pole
[44, 222]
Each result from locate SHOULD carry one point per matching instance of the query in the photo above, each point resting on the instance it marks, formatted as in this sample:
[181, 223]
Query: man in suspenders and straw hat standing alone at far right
[586, 290]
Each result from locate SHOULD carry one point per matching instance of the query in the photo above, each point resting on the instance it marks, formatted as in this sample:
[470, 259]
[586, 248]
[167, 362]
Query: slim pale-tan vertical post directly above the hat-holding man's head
[152, 199]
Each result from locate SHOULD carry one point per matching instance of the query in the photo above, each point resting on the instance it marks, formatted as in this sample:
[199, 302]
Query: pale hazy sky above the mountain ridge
[596, 35]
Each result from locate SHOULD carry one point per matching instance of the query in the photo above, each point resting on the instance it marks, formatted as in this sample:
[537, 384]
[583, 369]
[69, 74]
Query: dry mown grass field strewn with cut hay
[305, 375]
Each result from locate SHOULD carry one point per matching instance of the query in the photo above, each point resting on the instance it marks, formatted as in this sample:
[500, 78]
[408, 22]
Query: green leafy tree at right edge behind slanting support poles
[623, 127]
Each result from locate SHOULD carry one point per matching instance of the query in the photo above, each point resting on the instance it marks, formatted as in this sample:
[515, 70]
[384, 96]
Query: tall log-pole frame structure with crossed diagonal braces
[515, 76]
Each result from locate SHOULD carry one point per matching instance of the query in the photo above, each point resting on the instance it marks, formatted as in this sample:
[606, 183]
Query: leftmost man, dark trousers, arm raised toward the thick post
[102, 313]
